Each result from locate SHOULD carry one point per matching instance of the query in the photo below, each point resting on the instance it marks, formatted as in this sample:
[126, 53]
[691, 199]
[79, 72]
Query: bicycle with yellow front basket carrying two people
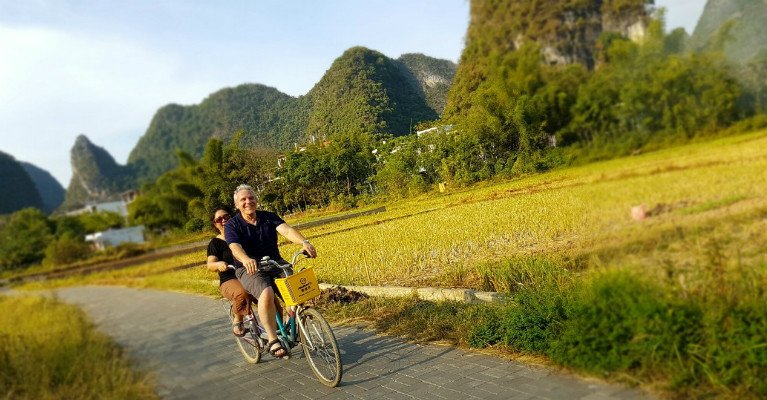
[305, 325]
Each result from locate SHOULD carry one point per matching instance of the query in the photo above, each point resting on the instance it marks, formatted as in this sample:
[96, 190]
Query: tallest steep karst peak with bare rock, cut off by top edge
[568, 31]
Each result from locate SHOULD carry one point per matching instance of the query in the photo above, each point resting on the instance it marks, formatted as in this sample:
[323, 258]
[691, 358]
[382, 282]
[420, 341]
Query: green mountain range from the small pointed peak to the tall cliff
[363, 90]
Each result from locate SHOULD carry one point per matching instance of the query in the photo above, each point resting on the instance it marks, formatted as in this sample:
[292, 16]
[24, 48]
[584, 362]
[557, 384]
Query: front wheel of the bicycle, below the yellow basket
[320, 347]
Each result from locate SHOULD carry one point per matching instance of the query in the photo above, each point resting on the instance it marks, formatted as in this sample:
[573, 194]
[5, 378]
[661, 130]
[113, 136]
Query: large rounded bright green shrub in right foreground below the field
[619, 321]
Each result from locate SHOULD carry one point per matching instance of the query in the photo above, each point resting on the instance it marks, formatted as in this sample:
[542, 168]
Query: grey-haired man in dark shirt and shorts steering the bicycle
[251, 235]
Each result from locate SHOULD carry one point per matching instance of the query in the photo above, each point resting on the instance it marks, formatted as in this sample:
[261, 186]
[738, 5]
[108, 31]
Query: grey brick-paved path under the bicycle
[185, 340]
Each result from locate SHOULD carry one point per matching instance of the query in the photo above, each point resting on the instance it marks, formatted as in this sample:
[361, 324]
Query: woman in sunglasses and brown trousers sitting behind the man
[219, 257]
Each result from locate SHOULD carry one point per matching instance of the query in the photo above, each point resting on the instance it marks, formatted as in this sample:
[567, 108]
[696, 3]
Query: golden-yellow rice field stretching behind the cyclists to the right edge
[454, 239]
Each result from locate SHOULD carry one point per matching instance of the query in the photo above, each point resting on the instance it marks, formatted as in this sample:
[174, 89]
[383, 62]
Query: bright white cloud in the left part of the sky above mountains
[56, 85]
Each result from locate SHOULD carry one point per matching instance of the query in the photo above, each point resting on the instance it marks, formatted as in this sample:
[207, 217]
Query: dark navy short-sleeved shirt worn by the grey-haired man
[257, 240]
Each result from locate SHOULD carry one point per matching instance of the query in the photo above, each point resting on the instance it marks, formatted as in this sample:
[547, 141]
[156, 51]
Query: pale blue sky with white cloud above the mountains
[102, 68]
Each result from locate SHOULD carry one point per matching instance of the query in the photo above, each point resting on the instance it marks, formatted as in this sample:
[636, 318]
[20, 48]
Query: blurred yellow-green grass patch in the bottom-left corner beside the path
[49, 350]
